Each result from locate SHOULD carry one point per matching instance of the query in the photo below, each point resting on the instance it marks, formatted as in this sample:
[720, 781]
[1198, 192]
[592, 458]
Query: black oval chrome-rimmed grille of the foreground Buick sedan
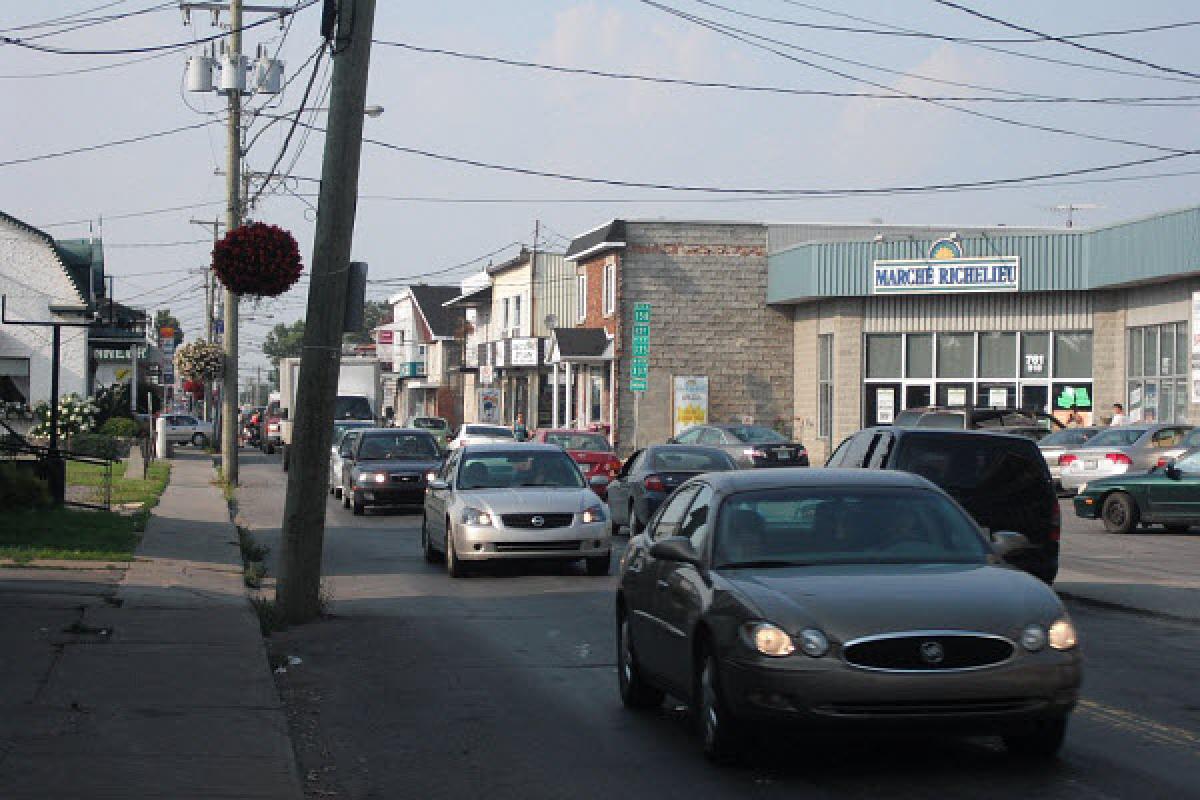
[929, 652]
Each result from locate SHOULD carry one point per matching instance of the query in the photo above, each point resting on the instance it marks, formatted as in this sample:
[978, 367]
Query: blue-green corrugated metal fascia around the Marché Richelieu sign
[1156, 249]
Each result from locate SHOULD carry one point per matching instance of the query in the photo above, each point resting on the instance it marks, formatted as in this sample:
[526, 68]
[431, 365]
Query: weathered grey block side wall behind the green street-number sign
[709, 287]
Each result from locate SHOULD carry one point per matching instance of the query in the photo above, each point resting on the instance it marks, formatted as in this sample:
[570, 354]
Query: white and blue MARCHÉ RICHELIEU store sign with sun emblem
[945, 272]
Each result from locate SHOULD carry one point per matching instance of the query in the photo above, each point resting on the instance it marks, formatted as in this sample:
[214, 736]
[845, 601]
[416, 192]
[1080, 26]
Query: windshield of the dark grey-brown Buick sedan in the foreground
[813, 527]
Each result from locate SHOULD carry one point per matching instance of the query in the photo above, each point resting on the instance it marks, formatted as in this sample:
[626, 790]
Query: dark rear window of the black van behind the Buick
[974, 462]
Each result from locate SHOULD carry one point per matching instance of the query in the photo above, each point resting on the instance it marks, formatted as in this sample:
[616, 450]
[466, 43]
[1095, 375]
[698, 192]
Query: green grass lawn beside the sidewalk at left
[74, 534]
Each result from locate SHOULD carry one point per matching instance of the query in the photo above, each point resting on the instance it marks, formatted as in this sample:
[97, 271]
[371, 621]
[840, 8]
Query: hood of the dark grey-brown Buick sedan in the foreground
[862, 600]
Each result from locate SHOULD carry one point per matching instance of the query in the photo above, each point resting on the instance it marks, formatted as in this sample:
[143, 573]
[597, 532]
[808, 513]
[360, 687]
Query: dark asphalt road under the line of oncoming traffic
[503, 685]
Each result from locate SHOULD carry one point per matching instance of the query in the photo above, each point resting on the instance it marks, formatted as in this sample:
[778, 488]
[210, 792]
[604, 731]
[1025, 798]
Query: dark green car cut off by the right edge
[1168, 495]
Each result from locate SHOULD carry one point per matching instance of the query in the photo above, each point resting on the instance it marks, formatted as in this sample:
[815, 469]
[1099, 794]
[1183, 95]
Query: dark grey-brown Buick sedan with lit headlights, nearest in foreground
[841, 599]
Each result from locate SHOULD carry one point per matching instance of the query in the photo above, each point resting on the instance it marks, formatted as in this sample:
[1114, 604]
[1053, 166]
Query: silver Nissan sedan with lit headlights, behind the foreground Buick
[514, 502]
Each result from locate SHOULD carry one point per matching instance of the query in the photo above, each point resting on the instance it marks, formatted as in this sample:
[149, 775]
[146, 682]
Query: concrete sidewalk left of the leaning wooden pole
[157, 687]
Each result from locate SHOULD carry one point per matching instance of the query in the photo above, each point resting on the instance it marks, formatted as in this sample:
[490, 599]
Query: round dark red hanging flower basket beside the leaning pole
[257, 260]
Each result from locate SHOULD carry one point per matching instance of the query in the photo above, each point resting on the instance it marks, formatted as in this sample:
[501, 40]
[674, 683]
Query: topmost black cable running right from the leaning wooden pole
[1168, 101]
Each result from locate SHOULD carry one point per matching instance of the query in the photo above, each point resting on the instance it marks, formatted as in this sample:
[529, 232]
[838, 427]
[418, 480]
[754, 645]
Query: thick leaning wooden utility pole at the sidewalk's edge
[304, 512]
